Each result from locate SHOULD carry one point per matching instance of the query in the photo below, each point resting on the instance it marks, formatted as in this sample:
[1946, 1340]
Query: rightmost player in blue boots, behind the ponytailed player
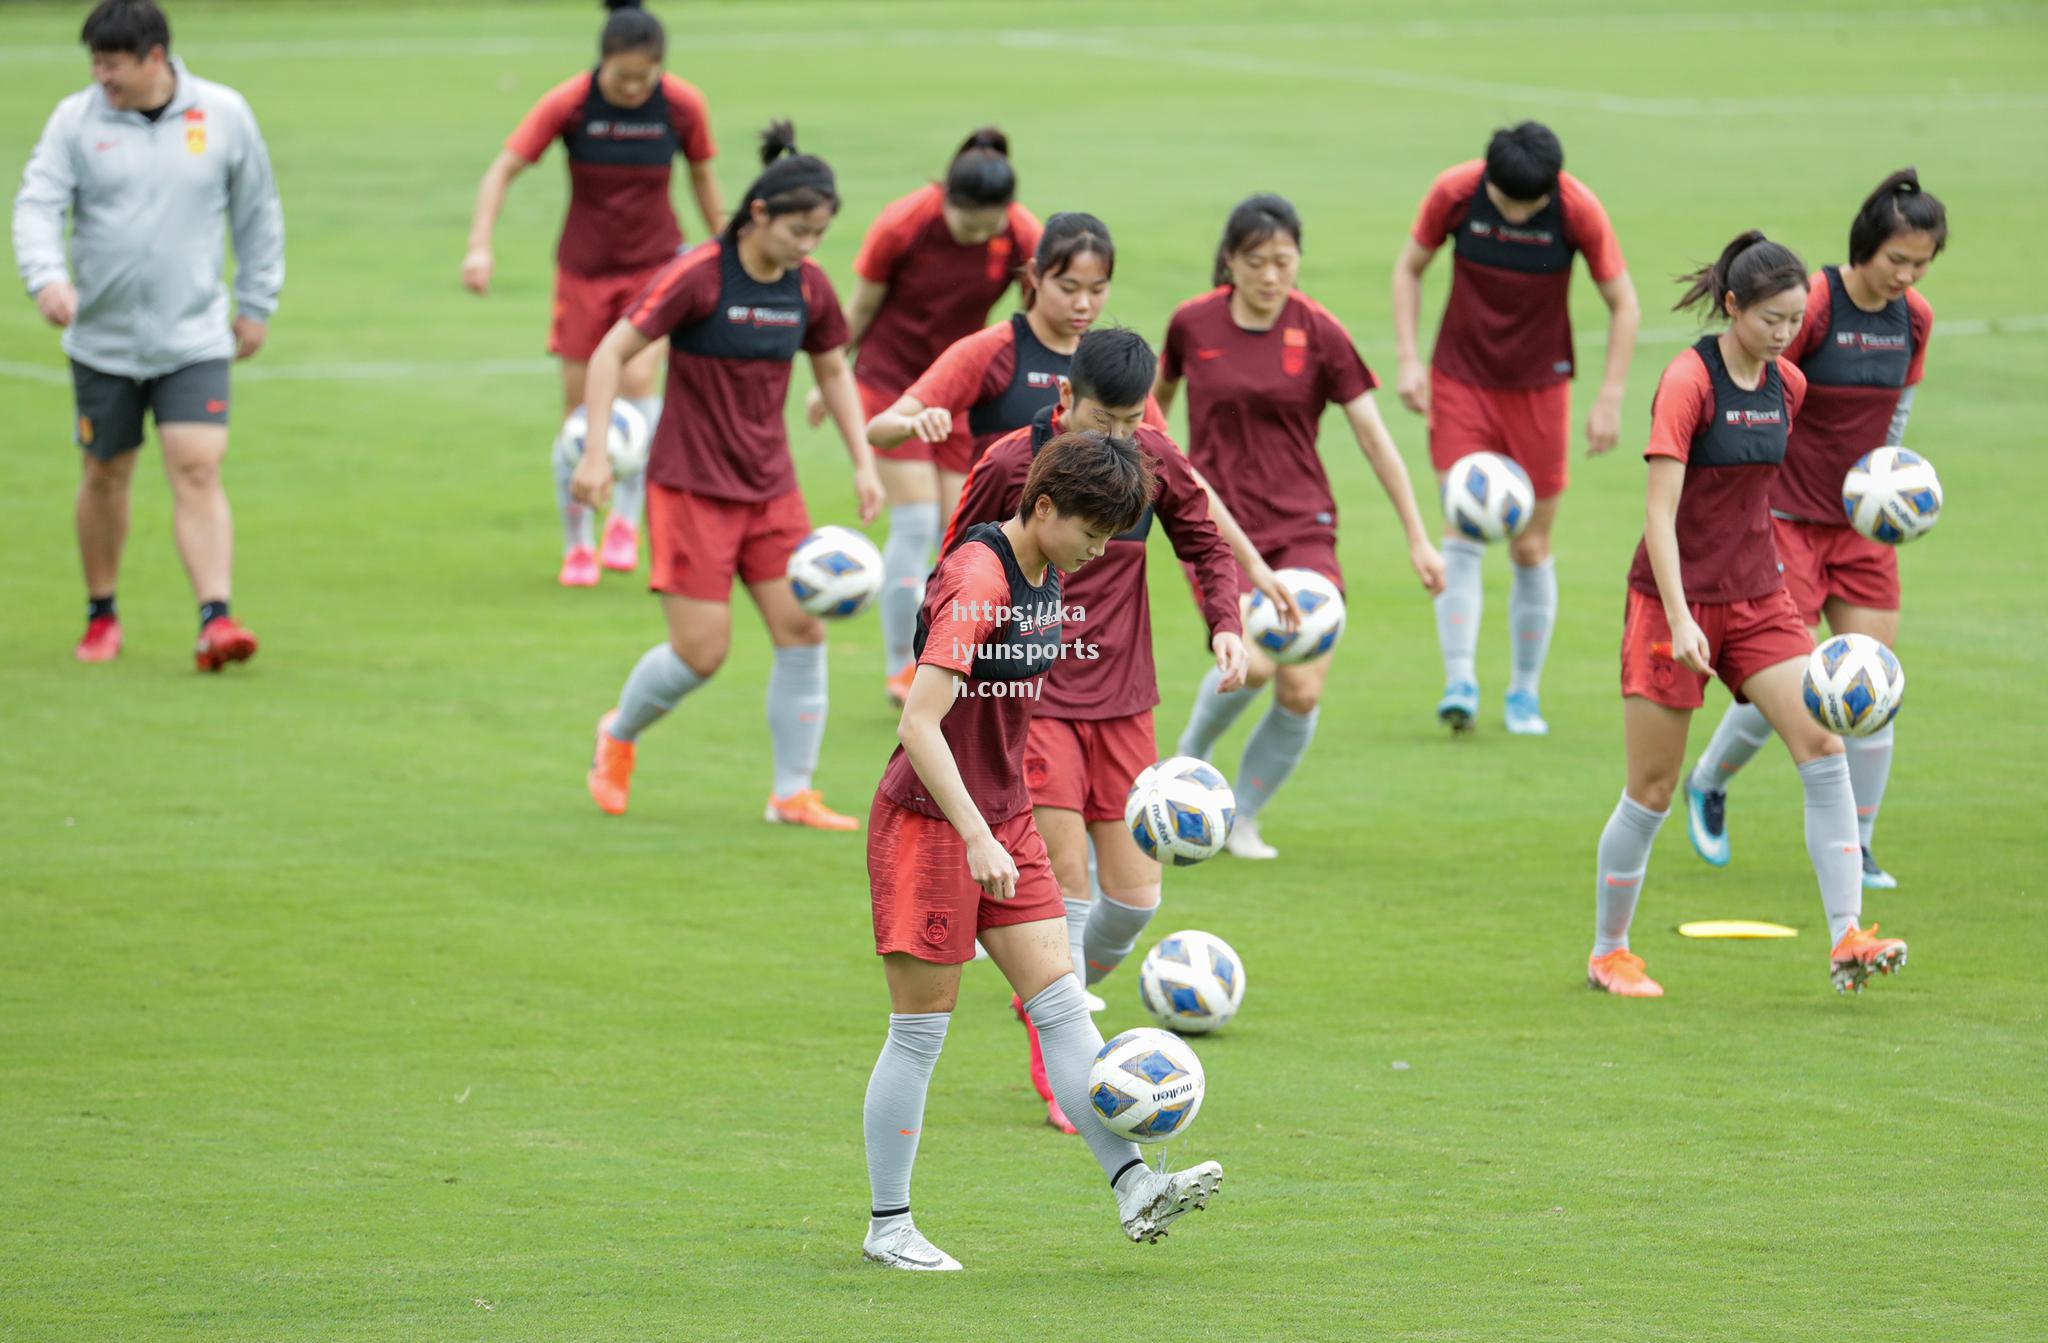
[1863, 349]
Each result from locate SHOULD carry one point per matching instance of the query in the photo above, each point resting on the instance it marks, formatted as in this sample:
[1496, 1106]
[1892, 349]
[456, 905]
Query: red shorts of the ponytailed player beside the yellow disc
[1742, 640]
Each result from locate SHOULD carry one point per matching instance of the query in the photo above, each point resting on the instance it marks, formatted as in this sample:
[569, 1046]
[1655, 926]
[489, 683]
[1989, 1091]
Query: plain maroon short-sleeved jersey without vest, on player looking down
[1254, 406]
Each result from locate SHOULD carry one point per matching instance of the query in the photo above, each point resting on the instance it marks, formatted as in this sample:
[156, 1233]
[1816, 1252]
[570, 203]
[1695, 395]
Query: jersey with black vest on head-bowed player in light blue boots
[1508, 322]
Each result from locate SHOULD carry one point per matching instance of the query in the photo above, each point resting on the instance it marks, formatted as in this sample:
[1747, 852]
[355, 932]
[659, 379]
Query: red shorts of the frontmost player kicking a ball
[925, 900]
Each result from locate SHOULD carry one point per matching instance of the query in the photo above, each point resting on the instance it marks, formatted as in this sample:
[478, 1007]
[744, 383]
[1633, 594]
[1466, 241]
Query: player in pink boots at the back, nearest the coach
[622, 126]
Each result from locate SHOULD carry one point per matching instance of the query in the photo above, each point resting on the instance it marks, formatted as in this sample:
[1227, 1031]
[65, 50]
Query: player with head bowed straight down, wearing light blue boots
[1500, 378]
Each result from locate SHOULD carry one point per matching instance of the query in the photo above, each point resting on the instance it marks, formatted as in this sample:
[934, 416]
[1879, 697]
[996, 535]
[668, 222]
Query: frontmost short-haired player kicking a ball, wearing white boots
[953, 851]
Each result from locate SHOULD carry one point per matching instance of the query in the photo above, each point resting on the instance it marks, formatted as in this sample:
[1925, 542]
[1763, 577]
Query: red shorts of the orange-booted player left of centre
[701, 544]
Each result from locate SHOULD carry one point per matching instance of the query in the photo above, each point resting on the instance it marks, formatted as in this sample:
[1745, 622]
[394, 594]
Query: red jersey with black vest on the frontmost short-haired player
[988, 623]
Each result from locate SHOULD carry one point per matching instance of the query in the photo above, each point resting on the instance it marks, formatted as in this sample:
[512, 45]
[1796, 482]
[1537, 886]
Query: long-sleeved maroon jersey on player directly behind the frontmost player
[1107, 670]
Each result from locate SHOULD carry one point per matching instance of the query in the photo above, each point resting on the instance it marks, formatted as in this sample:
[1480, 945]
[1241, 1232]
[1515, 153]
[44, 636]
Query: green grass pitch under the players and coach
[333, 1010]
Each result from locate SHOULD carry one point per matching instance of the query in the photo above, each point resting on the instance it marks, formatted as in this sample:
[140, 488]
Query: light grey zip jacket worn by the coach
[148, 204]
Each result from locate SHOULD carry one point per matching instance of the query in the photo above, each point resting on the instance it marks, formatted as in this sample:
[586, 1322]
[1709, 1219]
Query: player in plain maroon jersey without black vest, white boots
[1263, 361]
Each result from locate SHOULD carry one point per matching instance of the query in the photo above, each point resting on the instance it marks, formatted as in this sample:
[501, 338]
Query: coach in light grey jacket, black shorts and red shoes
[151, 163]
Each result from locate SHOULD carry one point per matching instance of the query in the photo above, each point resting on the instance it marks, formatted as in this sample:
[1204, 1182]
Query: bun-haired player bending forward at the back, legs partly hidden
[929, 273]
